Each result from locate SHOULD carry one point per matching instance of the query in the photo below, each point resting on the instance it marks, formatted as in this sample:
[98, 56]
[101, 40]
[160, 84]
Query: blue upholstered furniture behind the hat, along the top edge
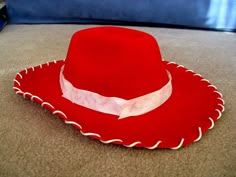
[214, 14]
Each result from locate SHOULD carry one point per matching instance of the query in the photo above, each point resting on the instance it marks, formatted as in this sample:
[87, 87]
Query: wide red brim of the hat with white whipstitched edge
[192, 109]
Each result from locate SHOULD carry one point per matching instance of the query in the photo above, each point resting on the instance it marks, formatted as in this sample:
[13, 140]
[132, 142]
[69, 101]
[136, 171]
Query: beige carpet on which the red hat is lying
[33, 142]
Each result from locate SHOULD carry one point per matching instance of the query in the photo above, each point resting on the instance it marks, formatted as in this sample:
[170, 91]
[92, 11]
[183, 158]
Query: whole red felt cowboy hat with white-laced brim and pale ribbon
[114, 86]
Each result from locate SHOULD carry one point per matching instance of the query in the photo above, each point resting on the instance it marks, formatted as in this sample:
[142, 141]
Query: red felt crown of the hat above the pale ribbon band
[115, 62]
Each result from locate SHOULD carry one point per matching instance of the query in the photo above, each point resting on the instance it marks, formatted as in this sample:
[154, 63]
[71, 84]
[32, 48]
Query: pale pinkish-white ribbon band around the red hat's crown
[114, 105]
